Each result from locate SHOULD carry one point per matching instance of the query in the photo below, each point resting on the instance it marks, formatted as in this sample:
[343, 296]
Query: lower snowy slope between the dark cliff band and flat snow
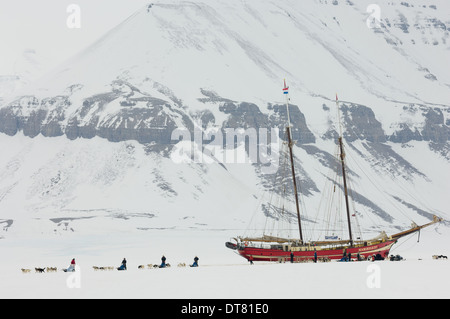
[92, 186]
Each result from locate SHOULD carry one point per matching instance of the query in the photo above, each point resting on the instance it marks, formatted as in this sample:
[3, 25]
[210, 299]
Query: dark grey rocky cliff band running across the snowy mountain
[147, 119]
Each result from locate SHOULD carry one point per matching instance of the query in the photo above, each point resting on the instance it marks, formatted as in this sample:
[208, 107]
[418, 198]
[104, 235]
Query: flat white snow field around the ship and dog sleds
[222, 274]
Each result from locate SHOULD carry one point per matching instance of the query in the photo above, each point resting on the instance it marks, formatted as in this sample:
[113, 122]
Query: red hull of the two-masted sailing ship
[337, 253]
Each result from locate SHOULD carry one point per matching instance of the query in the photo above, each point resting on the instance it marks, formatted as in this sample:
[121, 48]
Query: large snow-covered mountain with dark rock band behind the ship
[92, 143]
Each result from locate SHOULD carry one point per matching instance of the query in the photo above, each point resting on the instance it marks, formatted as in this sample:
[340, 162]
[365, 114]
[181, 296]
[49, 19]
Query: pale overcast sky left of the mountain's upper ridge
[42, 25]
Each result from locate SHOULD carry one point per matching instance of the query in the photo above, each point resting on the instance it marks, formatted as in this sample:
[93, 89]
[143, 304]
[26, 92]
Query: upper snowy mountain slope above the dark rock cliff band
[242, 51]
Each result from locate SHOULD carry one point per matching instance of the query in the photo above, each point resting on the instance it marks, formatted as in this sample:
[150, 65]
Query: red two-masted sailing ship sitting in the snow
[273, 248]
